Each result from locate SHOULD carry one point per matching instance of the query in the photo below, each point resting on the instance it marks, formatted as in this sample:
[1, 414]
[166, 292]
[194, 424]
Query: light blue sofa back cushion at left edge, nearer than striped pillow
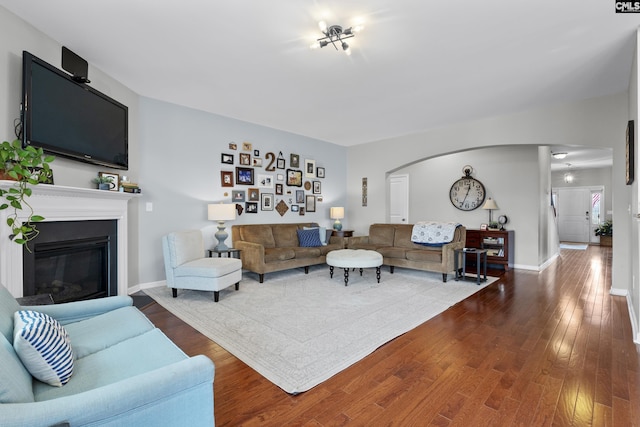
[16, 384]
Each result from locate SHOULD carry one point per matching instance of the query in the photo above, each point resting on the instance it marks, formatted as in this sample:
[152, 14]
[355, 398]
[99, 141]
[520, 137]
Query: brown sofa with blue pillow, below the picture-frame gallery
[274, 247]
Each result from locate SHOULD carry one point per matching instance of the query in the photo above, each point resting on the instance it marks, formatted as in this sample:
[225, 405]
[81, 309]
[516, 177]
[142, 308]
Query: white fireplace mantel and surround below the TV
[60, 203]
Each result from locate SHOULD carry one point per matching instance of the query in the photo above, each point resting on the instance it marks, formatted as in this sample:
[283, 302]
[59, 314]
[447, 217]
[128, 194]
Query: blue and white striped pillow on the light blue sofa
[43, 346]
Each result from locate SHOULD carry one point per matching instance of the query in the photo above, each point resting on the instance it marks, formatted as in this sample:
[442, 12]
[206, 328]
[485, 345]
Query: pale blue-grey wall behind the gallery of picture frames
[180, 174]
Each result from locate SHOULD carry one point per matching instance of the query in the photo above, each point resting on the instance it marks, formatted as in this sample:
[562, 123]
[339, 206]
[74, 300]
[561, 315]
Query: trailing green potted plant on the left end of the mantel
[27, 166]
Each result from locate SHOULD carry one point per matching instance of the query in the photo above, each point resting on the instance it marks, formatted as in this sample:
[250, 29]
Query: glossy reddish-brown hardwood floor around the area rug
[532, 349]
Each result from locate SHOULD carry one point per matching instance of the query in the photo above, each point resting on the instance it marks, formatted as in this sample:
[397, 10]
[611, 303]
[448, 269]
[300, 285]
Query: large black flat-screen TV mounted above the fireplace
[71, 119]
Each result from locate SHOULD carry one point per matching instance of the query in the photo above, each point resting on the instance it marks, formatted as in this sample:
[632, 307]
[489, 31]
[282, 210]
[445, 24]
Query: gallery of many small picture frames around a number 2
[272, 181]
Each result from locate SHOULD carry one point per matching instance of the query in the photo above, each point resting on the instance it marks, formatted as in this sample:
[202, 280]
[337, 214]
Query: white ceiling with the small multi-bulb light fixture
[418, 64]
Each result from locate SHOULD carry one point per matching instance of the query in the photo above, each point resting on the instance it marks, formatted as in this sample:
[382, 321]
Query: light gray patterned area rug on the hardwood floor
[298, 330]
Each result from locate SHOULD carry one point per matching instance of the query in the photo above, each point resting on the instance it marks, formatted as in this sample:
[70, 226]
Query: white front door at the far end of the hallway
[574, 213]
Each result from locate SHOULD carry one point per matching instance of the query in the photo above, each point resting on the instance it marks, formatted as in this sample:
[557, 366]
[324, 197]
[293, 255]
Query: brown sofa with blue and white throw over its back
[393, 241]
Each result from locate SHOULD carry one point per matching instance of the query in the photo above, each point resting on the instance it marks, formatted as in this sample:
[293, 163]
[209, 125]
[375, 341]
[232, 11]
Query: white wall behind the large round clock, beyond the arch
[505, 173]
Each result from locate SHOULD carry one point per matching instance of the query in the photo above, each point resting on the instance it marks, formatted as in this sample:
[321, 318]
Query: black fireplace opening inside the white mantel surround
[72, 261]
